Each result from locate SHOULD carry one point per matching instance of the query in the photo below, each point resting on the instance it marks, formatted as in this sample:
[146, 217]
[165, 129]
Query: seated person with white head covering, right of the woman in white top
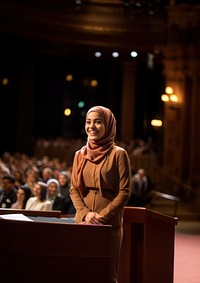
[58, 202]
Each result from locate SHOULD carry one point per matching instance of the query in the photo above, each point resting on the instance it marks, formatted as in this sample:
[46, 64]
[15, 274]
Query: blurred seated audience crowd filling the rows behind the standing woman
[28, 171]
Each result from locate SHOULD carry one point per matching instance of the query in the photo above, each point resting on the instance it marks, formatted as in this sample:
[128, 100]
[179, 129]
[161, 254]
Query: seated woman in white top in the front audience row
[39, 201]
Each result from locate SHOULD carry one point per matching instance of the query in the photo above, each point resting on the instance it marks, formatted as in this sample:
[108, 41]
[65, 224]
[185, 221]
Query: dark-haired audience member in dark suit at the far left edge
[8, 193]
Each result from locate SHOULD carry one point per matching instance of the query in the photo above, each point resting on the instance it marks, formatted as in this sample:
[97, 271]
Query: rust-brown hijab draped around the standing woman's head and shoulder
[95, 151]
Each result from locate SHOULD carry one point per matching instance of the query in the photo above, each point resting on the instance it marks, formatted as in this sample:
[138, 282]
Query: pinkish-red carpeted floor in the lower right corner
[187, 253]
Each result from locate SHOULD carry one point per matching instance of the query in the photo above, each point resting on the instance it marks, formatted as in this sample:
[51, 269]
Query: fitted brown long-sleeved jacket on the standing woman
[111, 178]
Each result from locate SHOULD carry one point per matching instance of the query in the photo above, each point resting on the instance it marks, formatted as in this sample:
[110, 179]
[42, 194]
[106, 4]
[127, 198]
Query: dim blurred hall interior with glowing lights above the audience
[139, 58]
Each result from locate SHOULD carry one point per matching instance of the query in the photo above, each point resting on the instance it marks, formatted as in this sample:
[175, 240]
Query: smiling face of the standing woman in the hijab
[94, 126]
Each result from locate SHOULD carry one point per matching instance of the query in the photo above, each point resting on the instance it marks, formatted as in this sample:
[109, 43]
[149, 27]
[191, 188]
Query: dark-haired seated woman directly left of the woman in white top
[23, 194]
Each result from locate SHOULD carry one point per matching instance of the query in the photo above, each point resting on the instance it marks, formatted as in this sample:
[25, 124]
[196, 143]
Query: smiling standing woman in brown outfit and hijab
[100, 181]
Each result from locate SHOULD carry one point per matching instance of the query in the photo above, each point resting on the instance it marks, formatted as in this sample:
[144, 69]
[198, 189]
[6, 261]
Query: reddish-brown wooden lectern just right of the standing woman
[147, 254]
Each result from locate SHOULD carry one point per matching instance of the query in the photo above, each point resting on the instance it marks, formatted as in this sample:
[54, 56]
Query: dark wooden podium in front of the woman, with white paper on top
[52, 251]
